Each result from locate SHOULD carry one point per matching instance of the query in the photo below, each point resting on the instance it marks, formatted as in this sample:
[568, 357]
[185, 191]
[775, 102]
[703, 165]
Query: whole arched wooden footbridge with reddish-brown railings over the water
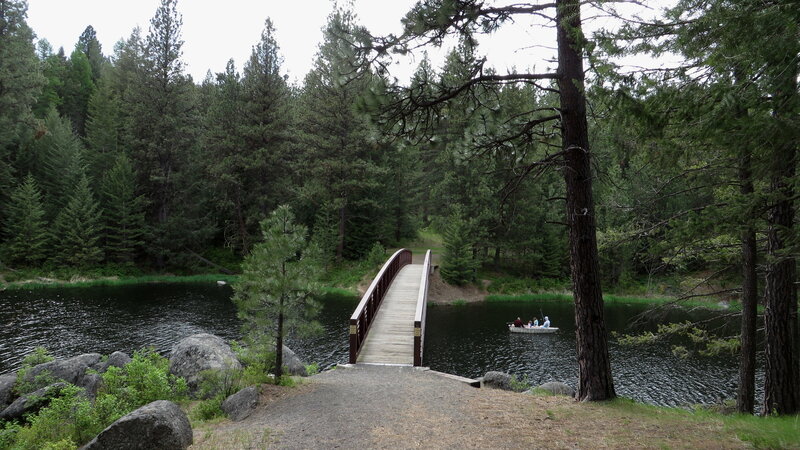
[388, 325]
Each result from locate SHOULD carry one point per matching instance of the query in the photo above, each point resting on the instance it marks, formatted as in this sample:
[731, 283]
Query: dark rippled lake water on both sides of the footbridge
[466, 340]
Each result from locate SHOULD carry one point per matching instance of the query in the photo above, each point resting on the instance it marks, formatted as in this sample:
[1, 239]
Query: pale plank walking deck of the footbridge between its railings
[391, 337]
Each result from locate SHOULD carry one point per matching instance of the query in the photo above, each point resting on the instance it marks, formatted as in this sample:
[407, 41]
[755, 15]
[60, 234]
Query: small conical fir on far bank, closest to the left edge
[25, 226]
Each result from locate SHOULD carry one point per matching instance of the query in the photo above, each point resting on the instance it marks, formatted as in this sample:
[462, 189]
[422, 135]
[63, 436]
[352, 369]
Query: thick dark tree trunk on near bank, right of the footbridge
[594, 366]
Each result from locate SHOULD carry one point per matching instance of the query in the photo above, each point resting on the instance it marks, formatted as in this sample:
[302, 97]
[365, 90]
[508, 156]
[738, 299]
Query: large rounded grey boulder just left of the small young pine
[199, 353]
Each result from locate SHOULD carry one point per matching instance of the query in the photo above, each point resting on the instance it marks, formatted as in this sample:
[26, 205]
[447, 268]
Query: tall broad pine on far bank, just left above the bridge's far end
[347, 173]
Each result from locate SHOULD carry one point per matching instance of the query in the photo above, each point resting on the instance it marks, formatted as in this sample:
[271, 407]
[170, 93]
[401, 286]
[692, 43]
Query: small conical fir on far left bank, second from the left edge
[77, 229]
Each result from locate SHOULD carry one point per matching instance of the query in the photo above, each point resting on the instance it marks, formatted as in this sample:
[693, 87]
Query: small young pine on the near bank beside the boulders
[275, 294]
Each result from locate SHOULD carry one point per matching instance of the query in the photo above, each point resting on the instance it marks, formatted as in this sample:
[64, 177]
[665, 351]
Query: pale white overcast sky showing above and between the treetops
[214, 32]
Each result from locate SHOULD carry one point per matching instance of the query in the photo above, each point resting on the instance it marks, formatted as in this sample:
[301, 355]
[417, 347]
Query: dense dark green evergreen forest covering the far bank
[678, 181]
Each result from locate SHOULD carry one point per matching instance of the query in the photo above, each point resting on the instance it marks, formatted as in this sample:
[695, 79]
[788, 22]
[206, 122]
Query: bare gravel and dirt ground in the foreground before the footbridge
[401, 407]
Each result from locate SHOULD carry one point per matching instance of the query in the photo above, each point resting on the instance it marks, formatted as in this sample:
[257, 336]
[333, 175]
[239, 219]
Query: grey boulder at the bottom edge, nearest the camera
[160, 425]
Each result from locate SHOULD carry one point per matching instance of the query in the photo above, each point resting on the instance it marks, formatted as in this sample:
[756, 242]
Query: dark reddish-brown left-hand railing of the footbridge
[367, 308]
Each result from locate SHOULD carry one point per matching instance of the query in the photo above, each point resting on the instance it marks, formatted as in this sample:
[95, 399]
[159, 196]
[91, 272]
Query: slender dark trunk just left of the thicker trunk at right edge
[745, 396]
